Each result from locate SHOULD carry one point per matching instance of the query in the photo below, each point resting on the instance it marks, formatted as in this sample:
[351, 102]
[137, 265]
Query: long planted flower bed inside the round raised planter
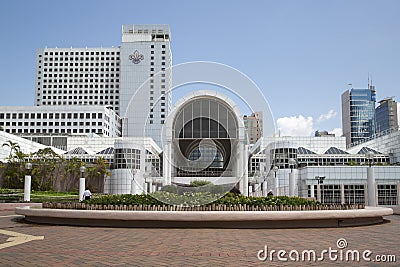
[189, 202]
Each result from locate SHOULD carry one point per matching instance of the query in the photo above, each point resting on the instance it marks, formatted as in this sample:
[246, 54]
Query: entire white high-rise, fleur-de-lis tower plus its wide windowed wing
[134, 79]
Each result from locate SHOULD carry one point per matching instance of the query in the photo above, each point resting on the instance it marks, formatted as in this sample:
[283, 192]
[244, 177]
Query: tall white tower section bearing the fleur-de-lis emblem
[145, 97]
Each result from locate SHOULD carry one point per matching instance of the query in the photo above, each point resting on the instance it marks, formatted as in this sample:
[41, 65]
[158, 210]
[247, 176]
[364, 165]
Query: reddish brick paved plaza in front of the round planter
[49, 245]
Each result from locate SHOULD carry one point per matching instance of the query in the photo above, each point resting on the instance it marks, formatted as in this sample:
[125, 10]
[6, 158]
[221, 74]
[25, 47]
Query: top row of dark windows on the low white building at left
[51, 115]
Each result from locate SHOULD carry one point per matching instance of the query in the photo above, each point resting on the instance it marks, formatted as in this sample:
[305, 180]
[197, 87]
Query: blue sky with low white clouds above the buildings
[301, 54]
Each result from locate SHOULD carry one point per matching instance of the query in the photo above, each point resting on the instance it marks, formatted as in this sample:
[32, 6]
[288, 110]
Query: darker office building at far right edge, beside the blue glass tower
[386, 115]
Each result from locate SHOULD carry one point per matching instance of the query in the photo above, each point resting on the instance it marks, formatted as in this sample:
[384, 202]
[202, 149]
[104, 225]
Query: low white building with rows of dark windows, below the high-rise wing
[60, 120]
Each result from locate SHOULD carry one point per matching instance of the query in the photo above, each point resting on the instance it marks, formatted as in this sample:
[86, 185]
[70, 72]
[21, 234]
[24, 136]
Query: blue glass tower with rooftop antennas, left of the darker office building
[358, 114]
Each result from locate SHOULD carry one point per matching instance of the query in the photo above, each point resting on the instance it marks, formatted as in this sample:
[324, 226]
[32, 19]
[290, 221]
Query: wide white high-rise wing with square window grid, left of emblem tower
[78, 76]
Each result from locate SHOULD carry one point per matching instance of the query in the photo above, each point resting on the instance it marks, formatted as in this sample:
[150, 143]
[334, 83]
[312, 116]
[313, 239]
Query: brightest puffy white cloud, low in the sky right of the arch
[295, 126]
